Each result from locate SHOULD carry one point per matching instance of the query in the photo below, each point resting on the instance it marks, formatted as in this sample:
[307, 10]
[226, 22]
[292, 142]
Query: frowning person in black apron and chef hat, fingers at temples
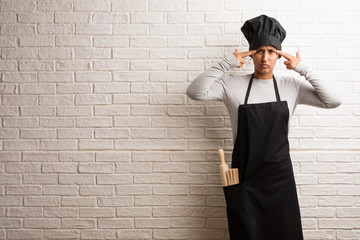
[264, 205]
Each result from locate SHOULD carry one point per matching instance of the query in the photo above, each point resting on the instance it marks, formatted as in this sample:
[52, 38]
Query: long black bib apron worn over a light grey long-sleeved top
[264, 205]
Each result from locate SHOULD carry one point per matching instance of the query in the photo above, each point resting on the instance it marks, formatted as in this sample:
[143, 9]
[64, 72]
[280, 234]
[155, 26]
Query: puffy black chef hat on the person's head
[263, 31]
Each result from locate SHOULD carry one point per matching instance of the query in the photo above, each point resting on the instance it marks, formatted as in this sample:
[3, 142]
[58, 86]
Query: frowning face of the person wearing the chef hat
[265, 59]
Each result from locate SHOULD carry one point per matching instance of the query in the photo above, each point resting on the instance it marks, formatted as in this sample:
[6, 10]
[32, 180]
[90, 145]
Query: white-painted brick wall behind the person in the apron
[99, 140]
